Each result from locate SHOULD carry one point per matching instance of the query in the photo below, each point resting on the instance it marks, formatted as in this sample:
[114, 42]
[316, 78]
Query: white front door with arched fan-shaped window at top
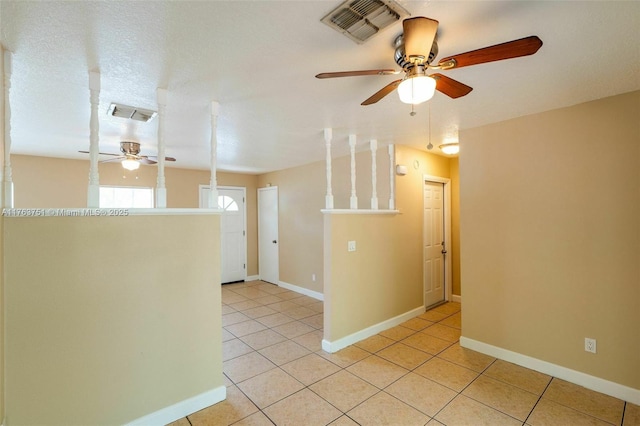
[233, 240]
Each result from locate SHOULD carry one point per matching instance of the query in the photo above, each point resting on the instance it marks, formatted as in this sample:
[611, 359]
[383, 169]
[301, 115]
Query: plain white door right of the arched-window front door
[268, 253]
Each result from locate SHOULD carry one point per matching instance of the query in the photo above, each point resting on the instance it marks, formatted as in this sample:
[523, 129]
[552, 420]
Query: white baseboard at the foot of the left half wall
[181, 409]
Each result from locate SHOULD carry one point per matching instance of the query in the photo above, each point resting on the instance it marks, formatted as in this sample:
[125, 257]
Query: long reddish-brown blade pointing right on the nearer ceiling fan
[511, 49]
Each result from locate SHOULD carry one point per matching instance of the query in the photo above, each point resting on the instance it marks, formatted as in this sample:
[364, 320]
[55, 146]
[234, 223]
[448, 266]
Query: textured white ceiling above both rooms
[258, 59]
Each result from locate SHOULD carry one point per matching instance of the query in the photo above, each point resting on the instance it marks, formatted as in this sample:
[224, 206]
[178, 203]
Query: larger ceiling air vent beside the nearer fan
[362, 19]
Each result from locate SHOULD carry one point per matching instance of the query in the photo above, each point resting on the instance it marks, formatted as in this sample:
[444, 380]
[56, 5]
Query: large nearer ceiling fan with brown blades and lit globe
[416, 48]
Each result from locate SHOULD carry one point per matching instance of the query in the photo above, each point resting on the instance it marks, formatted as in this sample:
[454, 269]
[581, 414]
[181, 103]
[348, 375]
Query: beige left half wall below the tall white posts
[104, 327]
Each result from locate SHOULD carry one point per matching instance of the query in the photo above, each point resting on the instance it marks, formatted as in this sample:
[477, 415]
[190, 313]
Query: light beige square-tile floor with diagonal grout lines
[412, 374]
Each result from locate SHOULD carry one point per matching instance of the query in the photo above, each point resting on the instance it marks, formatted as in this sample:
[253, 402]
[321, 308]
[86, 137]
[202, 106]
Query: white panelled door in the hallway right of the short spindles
[433, 250]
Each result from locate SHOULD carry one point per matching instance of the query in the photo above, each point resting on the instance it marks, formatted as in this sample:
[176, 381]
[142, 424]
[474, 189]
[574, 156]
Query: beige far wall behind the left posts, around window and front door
[55, 182]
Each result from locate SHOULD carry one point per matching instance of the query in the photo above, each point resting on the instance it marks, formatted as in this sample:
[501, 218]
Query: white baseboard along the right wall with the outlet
[590, 382]
